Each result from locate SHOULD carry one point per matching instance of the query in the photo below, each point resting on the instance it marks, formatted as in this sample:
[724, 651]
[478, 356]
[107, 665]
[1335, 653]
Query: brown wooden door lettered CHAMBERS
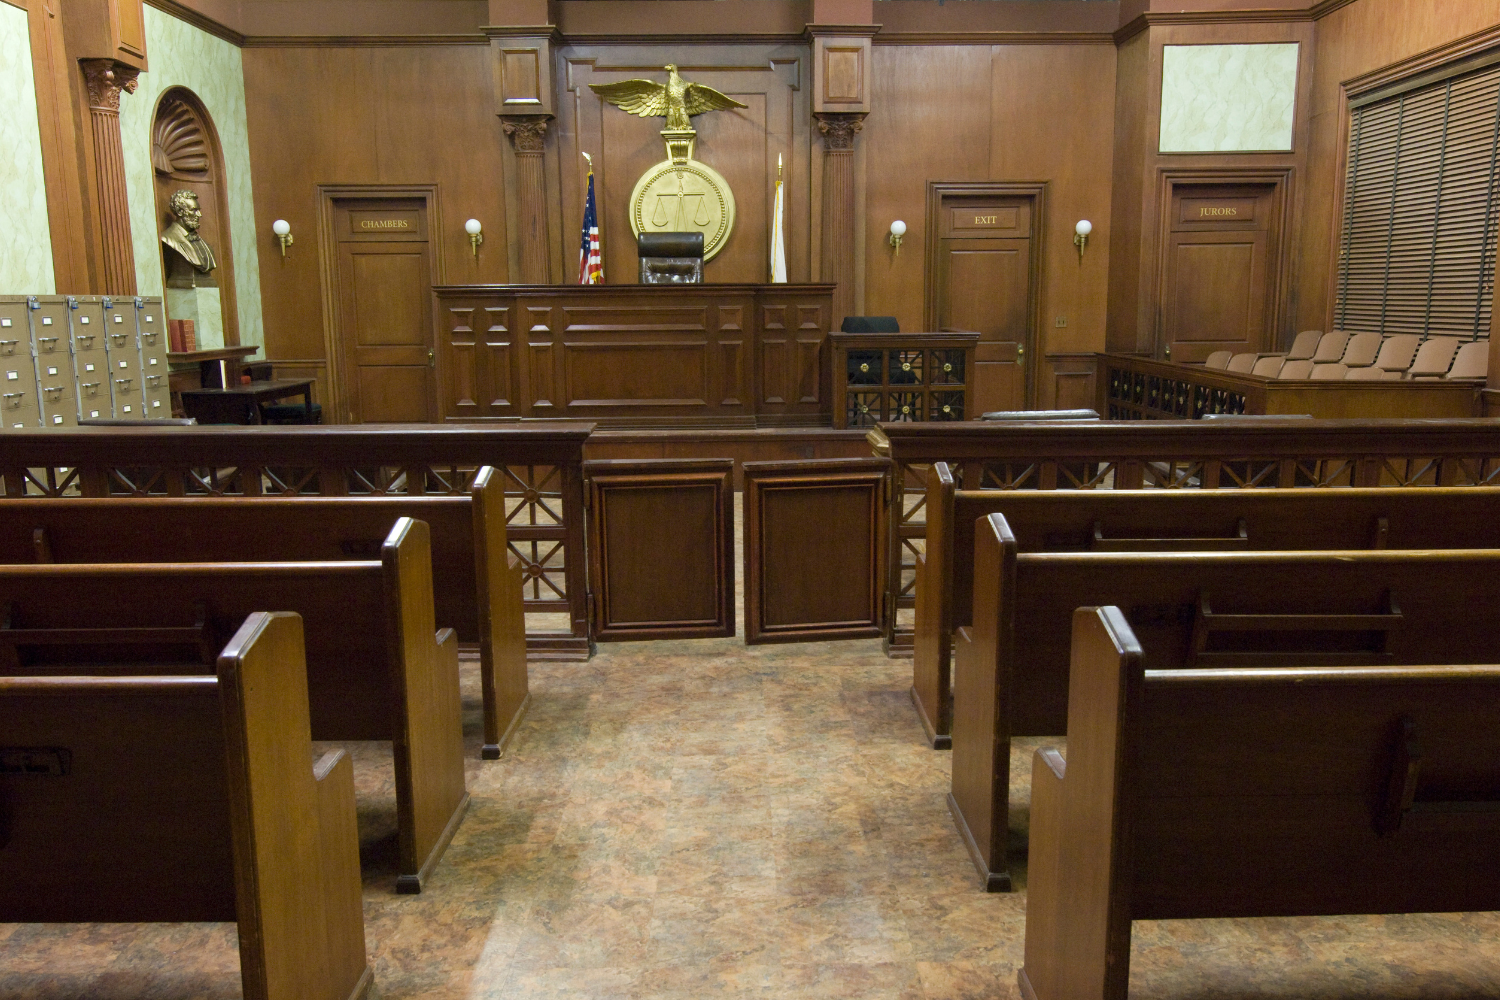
[385, 317]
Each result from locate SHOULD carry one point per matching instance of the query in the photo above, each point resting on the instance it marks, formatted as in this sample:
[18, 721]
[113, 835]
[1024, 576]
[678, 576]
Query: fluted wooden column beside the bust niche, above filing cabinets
[106, 80]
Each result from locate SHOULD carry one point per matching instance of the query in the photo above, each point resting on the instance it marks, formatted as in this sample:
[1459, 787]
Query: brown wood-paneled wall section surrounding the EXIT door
[967, 113]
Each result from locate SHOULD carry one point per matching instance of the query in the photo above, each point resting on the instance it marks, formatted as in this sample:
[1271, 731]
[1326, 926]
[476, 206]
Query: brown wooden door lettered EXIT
[985, 284]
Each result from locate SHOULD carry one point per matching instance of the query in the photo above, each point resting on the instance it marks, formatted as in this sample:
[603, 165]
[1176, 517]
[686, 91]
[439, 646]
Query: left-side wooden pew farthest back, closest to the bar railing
[476, 587]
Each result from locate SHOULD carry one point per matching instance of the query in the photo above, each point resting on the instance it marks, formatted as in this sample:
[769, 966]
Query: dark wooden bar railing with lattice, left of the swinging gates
[542, 466]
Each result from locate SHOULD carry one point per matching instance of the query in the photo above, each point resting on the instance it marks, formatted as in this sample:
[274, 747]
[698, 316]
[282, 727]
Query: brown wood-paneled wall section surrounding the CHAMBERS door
[398, 116]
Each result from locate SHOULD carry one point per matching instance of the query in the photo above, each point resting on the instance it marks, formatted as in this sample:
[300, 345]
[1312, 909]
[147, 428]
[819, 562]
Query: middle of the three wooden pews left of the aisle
[377, 666]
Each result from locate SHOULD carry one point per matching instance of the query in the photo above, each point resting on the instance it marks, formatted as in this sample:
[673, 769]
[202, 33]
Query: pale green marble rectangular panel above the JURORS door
[1228, 98]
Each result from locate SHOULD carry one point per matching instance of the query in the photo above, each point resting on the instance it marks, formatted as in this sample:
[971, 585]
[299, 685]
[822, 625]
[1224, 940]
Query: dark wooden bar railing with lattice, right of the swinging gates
[1165, 455]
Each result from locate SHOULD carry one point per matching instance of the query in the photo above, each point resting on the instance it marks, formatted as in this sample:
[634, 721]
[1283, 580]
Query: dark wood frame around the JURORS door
[1283, 200]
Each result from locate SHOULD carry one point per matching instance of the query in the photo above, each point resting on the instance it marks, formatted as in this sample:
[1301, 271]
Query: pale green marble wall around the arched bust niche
[184, 56]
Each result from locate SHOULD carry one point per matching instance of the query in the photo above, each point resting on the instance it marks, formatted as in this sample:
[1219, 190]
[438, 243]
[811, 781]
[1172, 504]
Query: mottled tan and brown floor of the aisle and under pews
[703, 819]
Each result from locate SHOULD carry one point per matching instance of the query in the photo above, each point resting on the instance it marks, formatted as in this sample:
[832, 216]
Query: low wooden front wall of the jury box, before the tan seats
[1144, 389]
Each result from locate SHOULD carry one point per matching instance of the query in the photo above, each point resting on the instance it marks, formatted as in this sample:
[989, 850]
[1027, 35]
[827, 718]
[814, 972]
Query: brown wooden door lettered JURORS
[1219, 272]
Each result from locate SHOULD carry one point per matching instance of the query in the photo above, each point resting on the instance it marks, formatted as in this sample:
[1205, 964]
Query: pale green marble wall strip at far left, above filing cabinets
[26, 253]
